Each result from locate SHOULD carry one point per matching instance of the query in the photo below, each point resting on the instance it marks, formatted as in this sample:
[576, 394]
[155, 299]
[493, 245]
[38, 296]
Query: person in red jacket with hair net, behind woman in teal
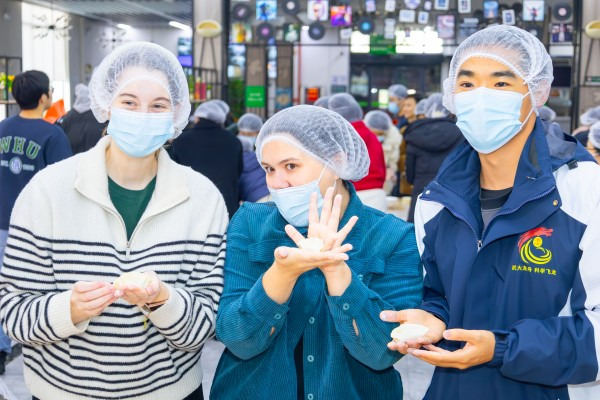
[370, 188]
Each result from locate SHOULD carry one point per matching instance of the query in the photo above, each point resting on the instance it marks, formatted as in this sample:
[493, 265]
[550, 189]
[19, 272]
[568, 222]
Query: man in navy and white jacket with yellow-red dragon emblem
[509, 235]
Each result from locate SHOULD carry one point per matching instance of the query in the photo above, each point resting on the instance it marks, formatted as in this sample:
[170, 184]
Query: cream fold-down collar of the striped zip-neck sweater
[92, 181]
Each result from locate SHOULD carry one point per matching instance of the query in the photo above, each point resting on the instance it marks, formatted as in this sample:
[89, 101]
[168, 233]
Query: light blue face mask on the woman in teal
[294, 202]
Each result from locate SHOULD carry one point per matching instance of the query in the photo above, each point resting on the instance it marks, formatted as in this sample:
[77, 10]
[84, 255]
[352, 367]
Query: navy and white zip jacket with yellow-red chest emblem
[532, 277]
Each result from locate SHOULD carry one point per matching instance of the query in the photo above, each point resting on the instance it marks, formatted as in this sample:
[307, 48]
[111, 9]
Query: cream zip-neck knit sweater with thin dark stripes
[64, 229]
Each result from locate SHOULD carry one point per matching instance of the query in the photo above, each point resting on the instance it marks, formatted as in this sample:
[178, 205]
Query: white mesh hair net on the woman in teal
[322, 134]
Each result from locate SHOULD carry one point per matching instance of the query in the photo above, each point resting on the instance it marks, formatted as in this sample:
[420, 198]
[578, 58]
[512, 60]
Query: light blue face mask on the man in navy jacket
[489, 118]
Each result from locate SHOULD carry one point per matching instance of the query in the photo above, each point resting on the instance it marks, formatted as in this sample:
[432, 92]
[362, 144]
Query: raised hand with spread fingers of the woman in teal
[326, 226]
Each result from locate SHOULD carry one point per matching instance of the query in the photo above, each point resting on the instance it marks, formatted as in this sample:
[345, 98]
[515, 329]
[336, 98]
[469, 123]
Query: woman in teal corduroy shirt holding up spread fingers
[304, 324]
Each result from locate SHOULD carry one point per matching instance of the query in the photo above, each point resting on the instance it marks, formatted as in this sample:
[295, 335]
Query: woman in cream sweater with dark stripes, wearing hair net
[123, 206]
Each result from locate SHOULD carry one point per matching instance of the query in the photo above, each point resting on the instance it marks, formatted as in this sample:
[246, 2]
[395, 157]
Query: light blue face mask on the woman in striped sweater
[140, 134]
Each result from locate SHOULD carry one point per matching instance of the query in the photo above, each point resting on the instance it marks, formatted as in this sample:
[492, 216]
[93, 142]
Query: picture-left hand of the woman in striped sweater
[89, 299]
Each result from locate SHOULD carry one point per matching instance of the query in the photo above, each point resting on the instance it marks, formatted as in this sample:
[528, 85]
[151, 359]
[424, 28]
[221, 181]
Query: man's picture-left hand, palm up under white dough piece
[414, 316]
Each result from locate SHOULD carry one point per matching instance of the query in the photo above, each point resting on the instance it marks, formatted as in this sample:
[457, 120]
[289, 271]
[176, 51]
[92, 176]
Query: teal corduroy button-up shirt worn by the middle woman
[338, 364]
